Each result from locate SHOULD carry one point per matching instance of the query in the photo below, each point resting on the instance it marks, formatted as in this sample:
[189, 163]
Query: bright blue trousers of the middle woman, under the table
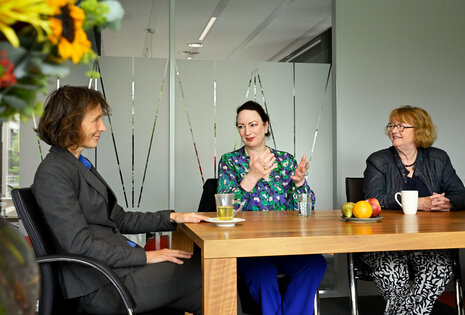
[305, 273]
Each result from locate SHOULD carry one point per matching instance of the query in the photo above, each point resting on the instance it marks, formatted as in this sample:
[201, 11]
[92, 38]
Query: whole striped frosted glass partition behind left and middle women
[197, 79]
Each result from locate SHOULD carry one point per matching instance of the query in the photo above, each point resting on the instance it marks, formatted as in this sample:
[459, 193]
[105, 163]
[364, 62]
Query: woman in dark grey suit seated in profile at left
[85, 219]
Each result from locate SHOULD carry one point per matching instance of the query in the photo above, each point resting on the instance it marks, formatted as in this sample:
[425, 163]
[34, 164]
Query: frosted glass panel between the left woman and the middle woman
[132, 152]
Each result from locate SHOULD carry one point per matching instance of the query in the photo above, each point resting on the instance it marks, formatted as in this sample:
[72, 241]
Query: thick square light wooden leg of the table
[219, 280]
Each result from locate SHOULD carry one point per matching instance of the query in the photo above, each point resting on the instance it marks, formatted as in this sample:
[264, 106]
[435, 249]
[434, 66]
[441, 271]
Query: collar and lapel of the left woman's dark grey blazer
[92, 177]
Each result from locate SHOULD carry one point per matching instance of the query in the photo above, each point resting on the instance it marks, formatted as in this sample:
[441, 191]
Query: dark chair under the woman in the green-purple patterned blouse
[248, 304]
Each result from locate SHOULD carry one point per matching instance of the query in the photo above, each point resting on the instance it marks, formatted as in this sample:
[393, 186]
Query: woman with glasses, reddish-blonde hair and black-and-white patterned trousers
[411, 163]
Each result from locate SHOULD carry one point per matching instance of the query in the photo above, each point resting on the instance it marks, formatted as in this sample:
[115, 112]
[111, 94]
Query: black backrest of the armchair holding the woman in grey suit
[34, 223]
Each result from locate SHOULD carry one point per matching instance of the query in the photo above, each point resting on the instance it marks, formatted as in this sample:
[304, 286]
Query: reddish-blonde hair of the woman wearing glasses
[425, 130]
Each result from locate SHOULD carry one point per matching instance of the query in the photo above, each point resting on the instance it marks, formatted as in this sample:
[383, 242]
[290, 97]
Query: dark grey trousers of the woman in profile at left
[153, 286]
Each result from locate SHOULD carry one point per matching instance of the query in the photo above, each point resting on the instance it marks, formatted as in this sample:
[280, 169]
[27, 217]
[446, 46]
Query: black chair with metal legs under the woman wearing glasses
[358, 270]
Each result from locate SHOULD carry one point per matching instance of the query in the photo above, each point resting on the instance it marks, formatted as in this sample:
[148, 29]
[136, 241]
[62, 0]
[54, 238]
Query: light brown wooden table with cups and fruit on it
[274, 233]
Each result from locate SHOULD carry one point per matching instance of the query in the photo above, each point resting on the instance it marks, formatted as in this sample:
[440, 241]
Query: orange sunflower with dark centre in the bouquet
[67, 32]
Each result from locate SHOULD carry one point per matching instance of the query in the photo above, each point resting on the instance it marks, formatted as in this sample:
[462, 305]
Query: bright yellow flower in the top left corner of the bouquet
[27, 11]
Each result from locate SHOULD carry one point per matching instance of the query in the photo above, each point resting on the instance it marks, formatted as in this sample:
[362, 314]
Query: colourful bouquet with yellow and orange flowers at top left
[40, 39]
